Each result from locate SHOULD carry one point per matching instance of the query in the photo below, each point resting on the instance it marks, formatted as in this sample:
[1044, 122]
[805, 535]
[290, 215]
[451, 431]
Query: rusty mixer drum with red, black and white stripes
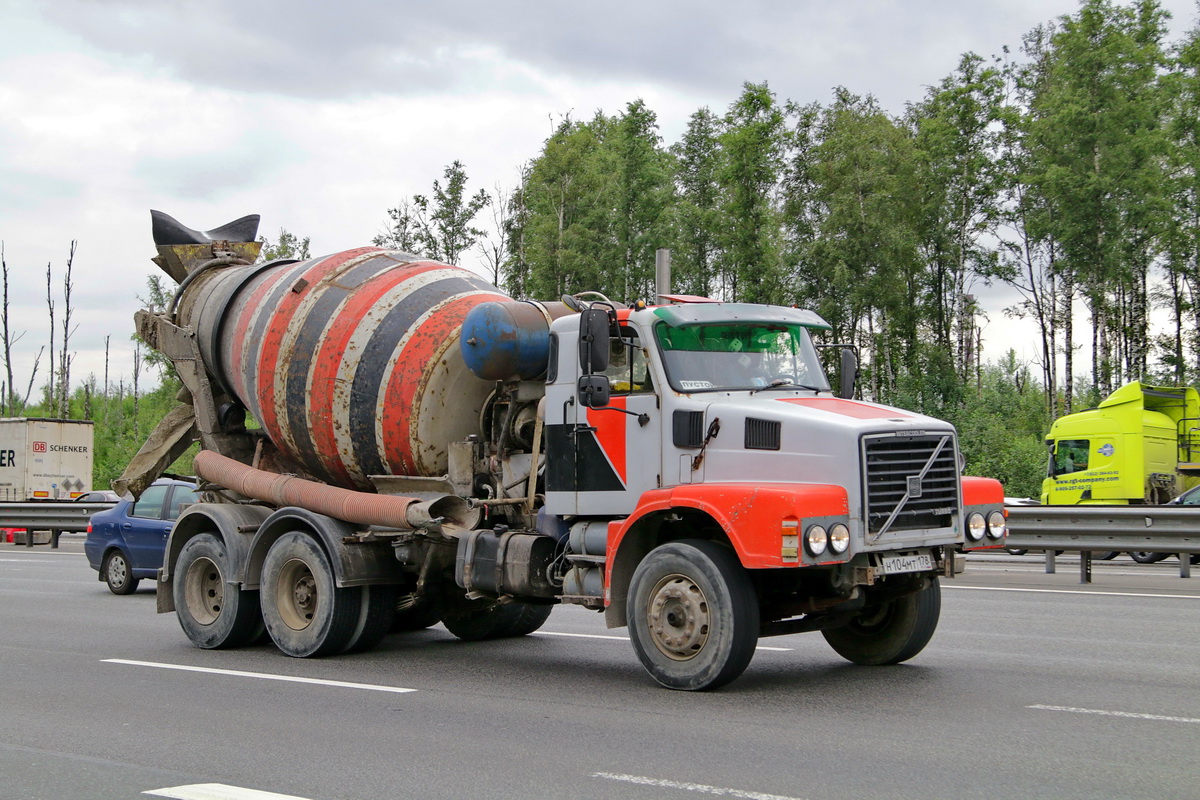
[351, 363]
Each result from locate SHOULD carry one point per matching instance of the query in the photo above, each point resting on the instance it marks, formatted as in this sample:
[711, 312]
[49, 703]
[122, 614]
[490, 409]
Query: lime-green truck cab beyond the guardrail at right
[1142, 444]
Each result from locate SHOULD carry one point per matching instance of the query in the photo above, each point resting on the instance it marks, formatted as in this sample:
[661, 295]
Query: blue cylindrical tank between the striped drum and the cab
[502, 341]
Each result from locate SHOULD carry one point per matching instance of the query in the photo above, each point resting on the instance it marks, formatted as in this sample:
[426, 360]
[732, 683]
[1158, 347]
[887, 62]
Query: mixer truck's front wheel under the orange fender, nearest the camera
[693, 616]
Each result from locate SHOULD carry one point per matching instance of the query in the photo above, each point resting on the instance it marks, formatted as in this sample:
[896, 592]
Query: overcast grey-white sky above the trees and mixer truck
[320, 116]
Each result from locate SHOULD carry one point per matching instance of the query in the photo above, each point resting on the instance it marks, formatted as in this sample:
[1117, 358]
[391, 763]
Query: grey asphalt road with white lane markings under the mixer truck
[1034, 687]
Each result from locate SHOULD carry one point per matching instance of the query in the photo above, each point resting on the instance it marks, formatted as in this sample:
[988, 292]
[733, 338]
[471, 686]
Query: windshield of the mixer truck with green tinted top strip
[743, 356]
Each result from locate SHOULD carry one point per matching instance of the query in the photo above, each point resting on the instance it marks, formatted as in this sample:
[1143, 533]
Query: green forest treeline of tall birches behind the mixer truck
[1067, 169]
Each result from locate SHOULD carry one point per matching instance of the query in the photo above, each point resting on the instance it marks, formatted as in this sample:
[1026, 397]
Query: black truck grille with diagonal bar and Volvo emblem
[908, 486]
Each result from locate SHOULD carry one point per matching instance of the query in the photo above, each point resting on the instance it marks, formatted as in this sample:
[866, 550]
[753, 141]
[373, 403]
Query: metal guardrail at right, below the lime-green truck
[1096, 530]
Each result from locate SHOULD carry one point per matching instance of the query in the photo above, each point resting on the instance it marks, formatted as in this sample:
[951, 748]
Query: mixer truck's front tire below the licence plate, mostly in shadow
[892, 631]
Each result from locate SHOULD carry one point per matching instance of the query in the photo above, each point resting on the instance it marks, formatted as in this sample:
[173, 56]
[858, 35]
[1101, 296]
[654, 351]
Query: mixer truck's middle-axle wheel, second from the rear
[305, 612]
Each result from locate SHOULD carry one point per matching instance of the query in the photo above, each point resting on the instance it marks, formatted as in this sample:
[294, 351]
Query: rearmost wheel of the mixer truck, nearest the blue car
[213, 613]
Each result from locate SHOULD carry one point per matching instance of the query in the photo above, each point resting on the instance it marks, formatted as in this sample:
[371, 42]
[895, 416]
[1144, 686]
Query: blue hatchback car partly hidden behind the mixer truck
[127, 543]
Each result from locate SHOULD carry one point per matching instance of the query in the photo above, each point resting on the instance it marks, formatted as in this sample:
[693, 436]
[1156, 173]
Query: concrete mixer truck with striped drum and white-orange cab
[391, 443]
